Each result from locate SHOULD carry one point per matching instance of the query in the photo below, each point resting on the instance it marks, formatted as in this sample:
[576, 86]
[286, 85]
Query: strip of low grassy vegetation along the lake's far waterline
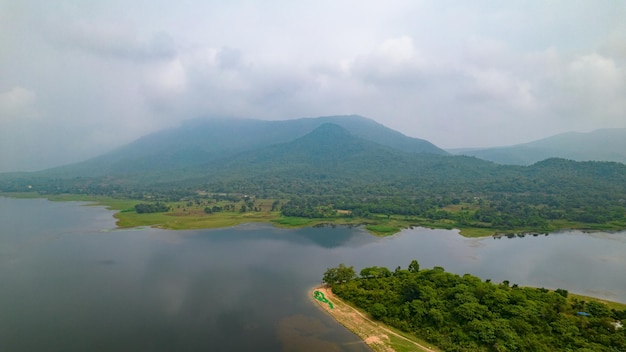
[216, 211]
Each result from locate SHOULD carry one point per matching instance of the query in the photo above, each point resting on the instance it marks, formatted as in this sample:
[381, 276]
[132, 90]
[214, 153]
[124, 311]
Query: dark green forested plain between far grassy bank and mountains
[543, 197]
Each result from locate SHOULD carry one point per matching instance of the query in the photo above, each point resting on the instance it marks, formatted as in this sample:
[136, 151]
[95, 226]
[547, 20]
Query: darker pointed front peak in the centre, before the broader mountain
[331, 154]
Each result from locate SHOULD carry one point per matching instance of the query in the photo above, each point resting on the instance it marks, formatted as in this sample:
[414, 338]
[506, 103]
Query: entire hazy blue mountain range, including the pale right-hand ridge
[349, 149]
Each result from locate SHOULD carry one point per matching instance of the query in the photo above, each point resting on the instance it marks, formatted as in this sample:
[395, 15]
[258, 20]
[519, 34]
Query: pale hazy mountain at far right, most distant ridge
[599, 145]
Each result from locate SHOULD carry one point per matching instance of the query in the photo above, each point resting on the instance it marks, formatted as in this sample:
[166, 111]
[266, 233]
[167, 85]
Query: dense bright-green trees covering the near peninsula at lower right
[464, 313]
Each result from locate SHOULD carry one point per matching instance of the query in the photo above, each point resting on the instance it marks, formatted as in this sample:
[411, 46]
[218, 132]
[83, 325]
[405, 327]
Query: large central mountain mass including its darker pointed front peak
[328, 157]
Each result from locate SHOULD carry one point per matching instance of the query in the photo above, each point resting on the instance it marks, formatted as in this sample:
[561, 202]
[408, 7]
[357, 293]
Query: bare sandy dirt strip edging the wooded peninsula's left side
[375, 335]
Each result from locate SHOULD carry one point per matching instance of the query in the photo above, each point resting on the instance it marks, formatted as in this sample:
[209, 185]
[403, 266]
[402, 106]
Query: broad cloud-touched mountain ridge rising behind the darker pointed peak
[202, 141]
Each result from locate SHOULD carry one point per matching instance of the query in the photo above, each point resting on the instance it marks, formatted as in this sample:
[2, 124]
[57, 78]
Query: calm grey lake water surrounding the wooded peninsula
[70, 282]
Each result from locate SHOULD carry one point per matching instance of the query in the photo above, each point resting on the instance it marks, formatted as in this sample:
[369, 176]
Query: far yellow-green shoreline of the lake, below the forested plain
[195, 219]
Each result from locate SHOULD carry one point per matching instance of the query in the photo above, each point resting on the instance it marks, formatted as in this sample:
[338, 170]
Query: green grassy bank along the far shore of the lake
[185, 215]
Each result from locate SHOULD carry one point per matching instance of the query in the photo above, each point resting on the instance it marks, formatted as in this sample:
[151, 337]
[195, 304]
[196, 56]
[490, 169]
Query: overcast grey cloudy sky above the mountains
[80, 78]
